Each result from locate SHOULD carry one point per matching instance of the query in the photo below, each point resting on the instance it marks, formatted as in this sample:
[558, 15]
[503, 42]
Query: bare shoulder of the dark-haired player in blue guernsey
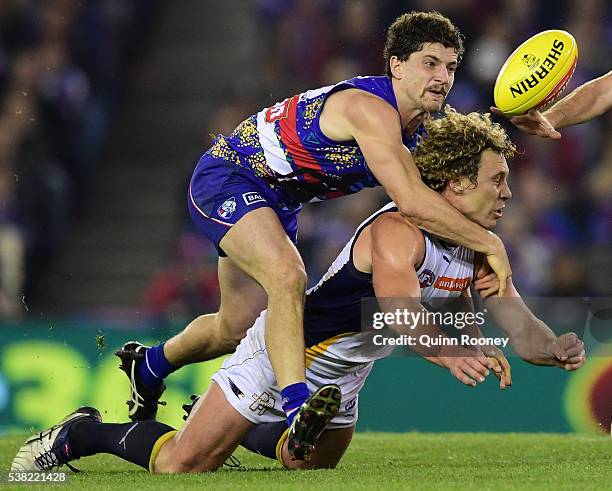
[348, 110]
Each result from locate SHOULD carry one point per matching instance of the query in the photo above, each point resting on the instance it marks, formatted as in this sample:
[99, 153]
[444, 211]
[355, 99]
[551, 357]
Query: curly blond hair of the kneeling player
[454, 145]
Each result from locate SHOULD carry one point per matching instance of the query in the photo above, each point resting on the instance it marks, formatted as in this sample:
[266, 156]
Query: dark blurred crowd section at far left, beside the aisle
[63, 70]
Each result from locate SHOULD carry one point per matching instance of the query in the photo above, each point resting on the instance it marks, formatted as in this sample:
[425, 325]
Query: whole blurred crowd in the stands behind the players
[68, 69]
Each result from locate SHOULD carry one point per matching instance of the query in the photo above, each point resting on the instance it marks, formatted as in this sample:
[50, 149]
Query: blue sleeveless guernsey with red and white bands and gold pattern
[284, 145]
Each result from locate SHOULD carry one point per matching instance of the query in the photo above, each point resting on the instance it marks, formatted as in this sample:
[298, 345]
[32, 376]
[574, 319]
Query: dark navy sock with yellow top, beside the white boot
[134, 442]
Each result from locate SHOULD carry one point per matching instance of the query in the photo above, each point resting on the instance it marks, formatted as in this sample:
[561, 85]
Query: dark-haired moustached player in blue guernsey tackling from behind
[249, 186]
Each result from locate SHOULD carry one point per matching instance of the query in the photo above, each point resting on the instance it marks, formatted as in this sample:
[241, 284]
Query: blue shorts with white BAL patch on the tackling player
[221, 193]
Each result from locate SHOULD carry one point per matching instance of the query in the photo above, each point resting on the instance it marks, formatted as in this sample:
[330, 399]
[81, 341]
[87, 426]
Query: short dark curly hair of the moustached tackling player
[410, 31]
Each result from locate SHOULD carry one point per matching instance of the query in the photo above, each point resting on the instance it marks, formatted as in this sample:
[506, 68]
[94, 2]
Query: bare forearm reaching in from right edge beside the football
[583, 104]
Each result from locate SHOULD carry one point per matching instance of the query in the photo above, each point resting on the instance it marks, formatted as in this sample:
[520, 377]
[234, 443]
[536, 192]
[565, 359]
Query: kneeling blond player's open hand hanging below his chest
[469, 366]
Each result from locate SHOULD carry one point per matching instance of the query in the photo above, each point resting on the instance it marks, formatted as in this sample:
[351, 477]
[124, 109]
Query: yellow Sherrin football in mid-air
[536, 72]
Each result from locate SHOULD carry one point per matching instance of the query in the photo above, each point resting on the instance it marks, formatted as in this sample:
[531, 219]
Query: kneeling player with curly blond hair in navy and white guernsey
[464, 160]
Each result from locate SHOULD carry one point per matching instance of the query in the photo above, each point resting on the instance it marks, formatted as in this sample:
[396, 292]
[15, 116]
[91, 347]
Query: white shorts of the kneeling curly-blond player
[249, 384]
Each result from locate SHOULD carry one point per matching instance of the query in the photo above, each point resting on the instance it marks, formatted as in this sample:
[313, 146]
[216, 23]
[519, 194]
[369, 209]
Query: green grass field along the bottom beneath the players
[386, 461]
